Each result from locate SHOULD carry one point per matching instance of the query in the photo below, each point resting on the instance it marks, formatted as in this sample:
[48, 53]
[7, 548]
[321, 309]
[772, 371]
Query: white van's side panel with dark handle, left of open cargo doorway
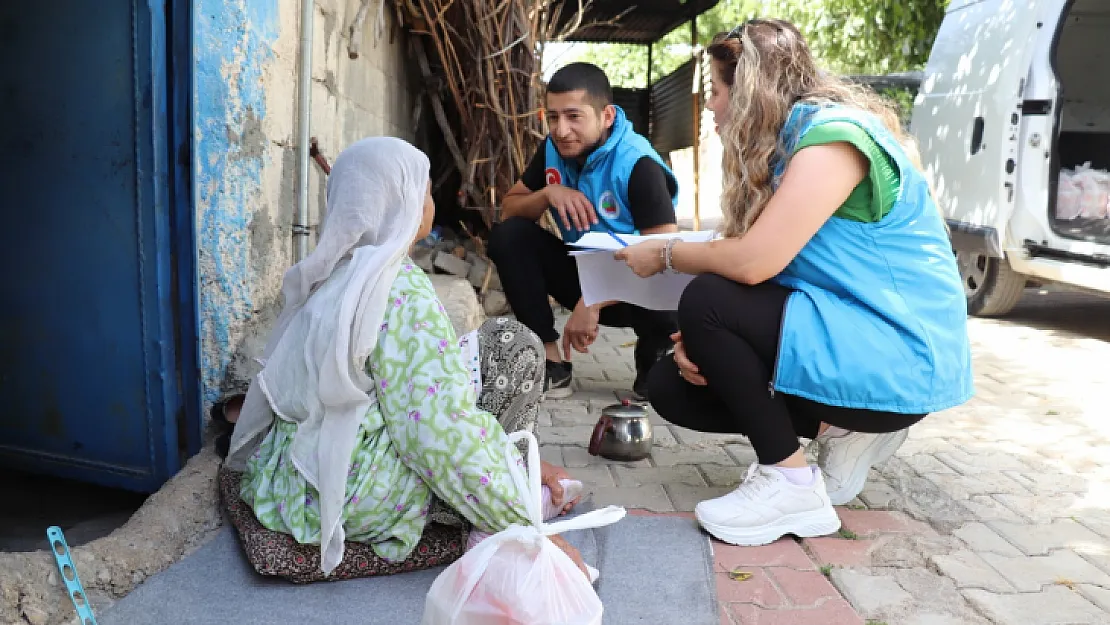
[967, 115]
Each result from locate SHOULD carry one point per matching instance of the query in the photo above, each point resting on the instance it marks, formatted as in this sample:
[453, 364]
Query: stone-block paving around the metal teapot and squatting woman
[997, 512]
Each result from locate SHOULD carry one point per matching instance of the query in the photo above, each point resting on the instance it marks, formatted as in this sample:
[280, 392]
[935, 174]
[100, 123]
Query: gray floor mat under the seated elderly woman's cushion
[654, 570]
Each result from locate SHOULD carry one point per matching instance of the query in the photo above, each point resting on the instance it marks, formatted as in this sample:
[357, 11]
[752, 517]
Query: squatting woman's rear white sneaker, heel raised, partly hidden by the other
[845, 460]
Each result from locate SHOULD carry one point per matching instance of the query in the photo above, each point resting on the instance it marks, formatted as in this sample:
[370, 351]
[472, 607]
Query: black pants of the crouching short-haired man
[533, 265]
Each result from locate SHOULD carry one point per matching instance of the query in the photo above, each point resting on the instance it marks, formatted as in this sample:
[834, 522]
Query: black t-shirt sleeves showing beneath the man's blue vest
[650, 189]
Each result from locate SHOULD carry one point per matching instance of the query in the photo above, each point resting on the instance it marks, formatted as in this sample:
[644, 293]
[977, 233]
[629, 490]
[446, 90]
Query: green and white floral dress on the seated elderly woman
[426, 437]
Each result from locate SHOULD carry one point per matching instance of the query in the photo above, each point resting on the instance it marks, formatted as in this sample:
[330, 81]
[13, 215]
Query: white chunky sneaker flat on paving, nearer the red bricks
[766, 508]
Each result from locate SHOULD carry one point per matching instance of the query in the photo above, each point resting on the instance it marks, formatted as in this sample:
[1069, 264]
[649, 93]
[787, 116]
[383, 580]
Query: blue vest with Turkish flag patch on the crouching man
[604, 178]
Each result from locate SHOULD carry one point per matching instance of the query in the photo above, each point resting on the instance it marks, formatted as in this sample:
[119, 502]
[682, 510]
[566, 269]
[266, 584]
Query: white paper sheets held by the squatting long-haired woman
[604, 279]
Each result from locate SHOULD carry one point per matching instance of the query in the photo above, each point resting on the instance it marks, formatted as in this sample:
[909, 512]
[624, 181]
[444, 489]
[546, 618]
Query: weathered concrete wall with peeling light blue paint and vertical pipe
[246, 68]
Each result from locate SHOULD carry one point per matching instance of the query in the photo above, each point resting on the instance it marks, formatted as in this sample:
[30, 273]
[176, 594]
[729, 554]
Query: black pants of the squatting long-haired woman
[732, 332]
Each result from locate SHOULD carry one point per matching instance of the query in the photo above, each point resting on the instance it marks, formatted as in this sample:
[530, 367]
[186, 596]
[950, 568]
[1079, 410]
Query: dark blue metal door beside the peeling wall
[90, 344]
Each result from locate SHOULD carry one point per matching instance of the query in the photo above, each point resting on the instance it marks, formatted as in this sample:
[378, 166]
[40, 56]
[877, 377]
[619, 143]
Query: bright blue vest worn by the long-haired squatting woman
[879, 318]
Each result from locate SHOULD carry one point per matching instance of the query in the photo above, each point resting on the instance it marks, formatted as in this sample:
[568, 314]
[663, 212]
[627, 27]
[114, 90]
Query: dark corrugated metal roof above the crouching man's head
[638, 22]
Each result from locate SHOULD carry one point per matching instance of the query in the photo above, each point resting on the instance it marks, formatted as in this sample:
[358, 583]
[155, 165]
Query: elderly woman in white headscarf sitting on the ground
[369, 417]
